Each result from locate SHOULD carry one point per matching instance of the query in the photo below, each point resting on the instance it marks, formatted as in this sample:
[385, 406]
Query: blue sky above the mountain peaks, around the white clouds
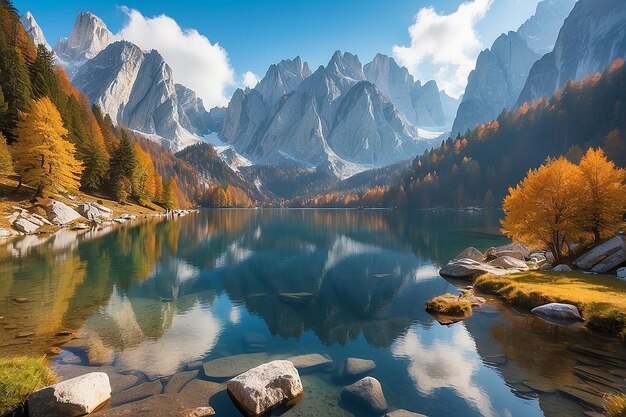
[255, 33]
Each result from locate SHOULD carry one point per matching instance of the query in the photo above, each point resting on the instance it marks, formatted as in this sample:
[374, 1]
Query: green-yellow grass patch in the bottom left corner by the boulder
[20, 377]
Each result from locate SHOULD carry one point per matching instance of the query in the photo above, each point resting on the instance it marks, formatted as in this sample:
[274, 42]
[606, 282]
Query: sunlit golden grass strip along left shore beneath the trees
[9, 200]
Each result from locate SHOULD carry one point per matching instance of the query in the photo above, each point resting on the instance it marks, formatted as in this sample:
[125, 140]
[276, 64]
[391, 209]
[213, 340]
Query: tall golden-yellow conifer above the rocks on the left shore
[43, 158]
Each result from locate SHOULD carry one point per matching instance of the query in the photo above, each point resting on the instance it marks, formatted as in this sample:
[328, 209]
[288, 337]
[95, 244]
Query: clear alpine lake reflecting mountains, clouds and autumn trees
[150, 299]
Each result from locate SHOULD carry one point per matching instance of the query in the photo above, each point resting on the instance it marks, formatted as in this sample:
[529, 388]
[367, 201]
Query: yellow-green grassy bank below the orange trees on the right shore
[600, 299]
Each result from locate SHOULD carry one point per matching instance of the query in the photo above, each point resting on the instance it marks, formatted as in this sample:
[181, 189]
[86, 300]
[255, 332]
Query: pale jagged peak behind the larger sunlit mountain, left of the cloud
[89, 36]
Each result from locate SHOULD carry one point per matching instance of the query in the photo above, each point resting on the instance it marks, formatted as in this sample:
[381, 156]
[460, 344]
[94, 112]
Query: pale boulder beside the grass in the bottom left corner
[74, 397]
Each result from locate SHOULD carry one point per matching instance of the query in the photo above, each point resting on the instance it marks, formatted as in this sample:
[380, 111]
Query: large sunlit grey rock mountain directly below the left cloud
[137, 90]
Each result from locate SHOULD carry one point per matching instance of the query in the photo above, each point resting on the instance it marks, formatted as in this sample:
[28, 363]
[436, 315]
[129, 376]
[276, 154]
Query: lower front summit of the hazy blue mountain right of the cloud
[496, 82]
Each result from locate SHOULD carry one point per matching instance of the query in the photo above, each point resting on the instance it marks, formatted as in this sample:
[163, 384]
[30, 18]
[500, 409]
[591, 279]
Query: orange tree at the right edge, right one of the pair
[603, 195]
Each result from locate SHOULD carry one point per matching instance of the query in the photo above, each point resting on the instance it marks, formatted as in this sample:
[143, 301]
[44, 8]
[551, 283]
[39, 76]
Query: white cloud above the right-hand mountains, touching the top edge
[449, 42]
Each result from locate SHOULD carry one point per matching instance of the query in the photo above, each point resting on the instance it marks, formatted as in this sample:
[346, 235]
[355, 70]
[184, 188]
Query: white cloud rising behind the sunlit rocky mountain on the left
[195, 61]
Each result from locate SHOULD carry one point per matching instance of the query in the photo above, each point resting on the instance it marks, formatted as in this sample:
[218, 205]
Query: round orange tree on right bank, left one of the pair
[544, 209]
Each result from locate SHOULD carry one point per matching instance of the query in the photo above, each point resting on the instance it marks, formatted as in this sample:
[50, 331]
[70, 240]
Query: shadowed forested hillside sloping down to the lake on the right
[478, 167]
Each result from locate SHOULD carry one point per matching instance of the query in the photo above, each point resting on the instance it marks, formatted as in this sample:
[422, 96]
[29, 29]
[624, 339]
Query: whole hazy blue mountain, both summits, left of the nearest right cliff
[501, 71]
